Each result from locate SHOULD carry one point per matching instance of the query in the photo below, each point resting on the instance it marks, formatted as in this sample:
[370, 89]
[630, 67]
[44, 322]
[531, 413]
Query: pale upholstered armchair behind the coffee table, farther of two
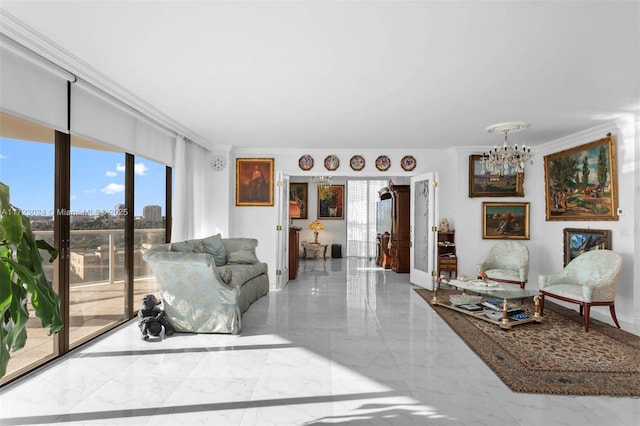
[507, 262]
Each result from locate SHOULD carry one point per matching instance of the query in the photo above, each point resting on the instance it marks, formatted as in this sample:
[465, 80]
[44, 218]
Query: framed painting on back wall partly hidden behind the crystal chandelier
[484, 184]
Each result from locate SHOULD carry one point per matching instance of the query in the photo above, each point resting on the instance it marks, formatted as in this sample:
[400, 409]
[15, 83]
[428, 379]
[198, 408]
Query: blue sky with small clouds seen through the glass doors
[97, 178]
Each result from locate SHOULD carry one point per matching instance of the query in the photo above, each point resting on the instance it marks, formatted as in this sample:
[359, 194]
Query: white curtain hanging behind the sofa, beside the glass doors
[190, 196]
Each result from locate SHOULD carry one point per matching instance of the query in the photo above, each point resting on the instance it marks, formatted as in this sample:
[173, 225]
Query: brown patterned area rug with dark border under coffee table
[555, 356]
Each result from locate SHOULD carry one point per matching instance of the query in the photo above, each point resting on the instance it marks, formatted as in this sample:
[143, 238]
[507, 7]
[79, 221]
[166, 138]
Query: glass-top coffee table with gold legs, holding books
[495, 304]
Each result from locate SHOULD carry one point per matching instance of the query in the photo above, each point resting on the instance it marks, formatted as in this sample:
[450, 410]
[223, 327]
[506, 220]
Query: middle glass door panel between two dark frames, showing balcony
[96, 241]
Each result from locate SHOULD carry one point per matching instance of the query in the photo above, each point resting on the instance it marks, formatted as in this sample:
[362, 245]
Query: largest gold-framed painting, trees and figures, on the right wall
[582, 183]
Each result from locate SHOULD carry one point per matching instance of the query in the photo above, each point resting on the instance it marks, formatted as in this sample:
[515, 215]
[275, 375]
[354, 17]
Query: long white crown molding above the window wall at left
[31, 40]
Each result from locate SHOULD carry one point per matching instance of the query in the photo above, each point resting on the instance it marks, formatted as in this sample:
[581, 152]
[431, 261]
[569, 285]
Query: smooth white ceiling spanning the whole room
[368, 74]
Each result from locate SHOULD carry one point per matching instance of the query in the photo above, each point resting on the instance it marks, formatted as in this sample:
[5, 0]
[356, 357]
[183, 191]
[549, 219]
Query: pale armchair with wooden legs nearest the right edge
[591, 279]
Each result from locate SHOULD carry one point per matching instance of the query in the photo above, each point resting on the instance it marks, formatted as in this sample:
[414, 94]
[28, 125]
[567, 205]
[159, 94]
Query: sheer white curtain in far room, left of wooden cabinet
[361, 216]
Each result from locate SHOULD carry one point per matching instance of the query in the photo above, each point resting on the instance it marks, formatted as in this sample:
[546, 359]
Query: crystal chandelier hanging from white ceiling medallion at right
[509, 159]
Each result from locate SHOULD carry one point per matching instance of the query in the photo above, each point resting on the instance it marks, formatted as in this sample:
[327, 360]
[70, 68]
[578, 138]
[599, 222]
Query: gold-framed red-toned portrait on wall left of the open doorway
[254, 181]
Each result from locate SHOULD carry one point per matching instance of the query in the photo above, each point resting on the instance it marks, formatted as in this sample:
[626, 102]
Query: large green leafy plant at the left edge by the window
[21, 275]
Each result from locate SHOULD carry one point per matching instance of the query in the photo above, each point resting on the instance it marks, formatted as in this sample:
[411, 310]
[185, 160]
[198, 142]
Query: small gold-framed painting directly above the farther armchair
[505, 221]
